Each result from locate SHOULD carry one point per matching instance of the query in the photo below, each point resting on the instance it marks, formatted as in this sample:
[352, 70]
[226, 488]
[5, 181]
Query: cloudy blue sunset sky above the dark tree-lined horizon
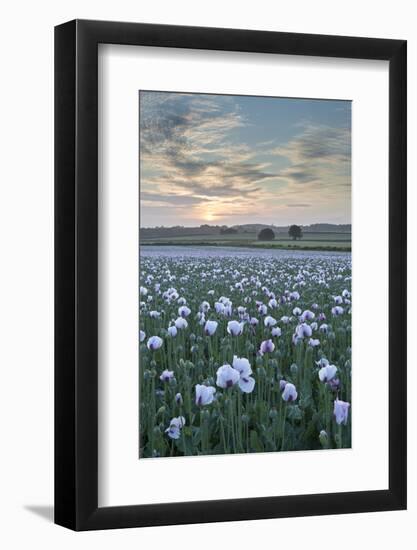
[229, 160]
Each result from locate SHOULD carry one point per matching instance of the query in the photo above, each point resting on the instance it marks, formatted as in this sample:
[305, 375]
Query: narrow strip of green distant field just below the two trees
[332, 241]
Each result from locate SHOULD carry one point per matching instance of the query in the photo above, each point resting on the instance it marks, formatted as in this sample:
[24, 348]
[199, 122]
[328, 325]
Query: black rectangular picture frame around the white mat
[76, 272]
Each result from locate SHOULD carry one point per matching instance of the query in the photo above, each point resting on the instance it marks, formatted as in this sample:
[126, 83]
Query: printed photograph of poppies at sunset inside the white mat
[245, 274]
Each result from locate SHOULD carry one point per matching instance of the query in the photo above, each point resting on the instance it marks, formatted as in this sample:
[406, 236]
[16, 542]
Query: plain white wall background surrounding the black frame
[26, 270]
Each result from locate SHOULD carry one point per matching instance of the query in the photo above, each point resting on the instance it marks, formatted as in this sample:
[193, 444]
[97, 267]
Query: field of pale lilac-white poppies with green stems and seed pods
[244, 352]
